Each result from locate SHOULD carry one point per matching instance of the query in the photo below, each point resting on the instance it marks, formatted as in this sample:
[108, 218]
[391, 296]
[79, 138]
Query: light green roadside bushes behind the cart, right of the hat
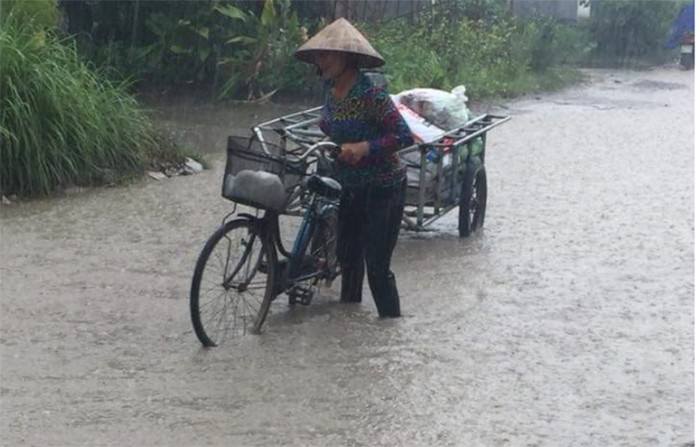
[490, 57]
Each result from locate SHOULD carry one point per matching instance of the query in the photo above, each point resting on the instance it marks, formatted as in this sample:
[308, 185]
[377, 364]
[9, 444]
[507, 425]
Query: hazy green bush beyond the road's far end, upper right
[630, 29]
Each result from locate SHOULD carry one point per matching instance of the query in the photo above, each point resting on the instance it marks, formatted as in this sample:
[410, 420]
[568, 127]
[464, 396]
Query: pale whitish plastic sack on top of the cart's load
[447, 110]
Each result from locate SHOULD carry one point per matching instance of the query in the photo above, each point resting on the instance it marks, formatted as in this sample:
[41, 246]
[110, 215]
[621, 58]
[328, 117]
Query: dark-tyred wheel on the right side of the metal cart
[472, 201]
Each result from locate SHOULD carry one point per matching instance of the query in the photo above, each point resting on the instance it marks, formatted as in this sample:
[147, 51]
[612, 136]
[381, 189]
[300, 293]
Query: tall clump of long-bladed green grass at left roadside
[60, 122]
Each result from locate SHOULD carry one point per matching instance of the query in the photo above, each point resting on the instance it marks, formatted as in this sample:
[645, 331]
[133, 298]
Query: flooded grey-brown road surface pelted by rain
[568, 322]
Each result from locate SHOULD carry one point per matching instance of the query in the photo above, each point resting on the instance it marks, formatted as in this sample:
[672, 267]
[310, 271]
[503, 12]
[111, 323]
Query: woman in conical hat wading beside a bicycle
[362, 120]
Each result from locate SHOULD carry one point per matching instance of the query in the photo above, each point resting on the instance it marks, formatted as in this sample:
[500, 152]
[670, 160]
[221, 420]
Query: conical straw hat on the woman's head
[341, 36]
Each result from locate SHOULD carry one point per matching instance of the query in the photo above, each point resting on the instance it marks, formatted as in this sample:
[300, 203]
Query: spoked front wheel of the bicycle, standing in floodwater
[233, 283]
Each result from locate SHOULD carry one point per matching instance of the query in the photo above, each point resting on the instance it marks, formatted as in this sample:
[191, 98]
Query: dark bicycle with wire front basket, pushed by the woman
[244, 265]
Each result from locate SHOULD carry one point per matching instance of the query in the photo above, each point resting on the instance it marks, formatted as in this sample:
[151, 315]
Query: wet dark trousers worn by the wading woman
[369, 221]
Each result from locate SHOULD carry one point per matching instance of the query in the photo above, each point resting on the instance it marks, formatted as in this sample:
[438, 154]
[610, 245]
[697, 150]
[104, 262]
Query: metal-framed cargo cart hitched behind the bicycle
[443, 174]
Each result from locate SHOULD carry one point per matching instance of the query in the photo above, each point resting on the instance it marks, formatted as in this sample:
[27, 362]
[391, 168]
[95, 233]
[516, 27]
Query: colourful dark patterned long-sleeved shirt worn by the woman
[367, 113]
